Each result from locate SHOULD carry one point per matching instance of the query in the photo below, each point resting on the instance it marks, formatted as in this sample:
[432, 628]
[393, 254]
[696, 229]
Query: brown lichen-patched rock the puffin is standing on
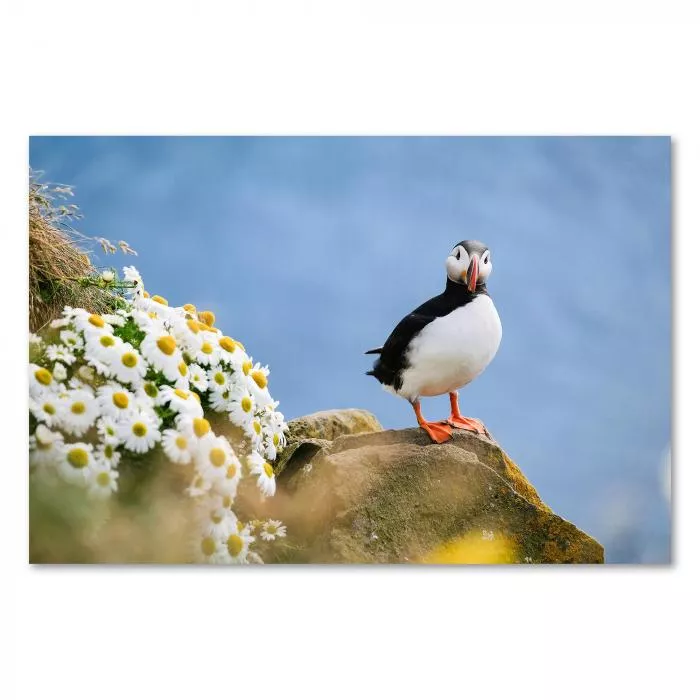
[393, 496]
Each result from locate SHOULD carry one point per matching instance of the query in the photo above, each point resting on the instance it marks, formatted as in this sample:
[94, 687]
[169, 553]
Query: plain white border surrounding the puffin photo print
[379, 68]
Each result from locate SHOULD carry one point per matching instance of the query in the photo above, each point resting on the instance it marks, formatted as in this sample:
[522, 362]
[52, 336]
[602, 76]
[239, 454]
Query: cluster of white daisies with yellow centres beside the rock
[105, 389]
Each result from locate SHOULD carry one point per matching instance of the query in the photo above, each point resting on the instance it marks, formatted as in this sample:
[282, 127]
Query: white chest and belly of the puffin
[452, 350]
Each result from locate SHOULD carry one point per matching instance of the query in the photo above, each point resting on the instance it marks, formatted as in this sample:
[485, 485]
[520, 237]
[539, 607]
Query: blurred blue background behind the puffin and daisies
[310, 250]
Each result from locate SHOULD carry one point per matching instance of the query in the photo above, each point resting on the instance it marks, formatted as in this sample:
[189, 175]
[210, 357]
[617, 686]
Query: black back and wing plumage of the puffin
[392, 358]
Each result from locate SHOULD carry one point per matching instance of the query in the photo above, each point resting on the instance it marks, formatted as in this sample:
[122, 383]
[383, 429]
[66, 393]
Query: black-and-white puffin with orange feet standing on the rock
[445, 343]
